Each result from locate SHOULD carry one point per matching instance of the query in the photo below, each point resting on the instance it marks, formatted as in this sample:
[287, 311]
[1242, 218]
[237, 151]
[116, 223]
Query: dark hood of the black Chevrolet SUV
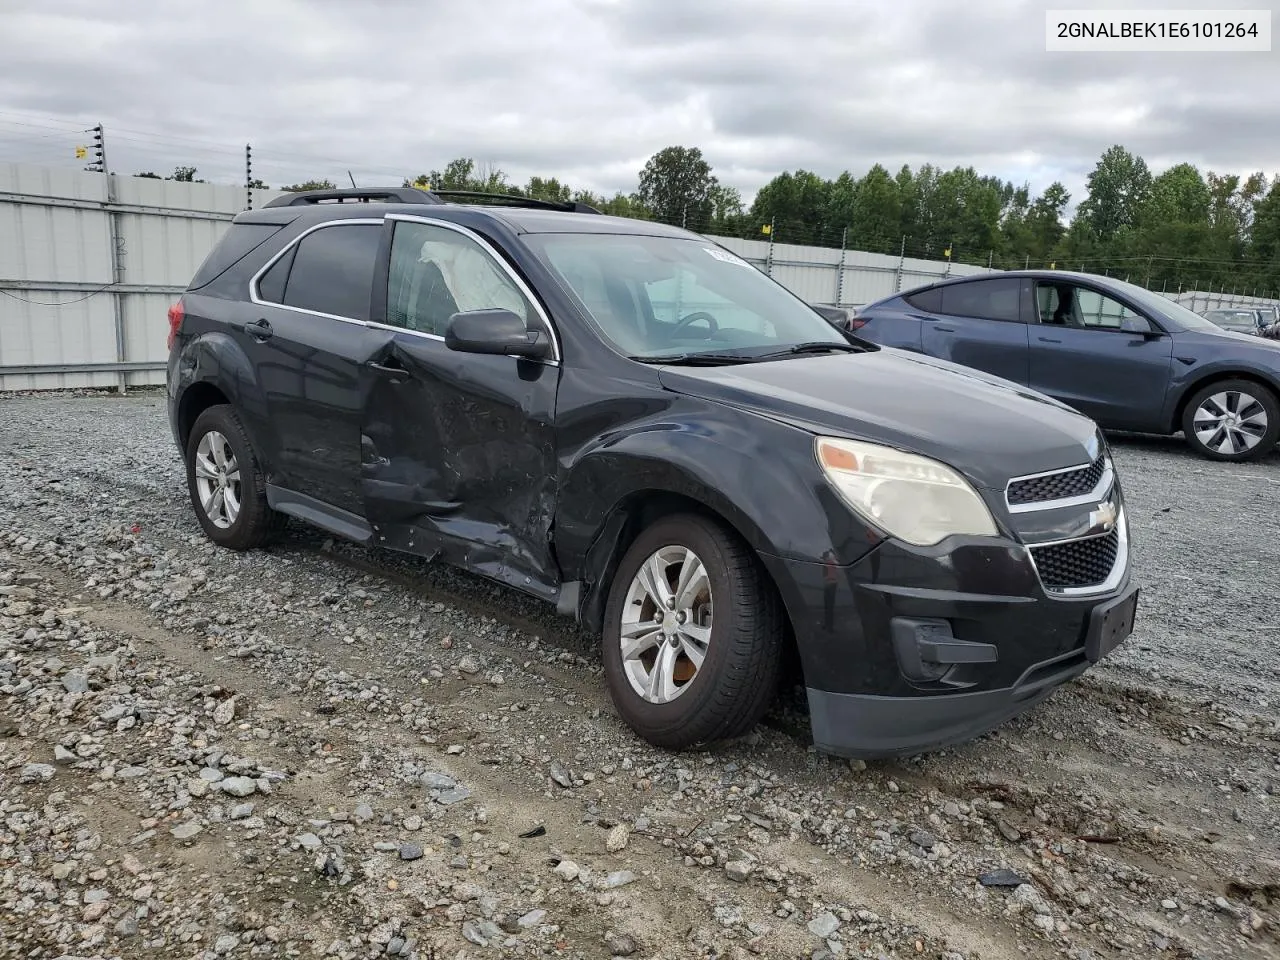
[988, 428]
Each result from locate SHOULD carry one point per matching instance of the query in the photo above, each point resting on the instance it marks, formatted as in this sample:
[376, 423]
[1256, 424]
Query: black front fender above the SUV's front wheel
[758, 476]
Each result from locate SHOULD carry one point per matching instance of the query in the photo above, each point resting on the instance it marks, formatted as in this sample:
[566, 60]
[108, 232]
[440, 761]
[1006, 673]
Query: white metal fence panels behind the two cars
[90, 312]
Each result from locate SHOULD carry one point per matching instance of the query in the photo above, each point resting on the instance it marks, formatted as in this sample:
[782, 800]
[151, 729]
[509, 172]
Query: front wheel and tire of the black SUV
[739, 675]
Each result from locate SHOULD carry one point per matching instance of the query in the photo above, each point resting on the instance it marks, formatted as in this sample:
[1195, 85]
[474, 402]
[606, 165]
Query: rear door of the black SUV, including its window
[309, 337]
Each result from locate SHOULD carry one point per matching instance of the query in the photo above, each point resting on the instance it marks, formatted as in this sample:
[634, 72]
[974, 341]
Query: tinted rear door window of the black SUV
[333, 271]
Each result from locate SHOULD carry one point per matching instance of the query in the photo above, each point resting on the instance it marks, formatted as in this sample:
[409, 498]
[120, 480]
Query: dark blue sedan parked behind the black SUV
[1130, 359]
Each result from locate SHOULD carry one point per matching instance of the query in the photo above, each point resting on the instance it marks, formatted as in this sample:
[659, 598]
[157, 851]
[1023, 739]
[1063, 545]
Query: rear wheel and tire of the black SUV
[254, 523]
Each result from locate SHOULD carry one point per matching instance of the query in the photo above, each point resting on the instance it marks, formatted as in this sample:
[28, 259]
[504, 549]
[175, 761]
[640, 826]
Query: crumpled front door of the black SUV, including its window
[459, 450]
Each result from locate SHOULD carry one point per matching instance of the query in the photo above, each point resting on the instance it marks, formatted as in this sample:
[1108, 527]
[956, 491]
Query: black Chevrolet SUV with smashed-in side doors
[638, 427]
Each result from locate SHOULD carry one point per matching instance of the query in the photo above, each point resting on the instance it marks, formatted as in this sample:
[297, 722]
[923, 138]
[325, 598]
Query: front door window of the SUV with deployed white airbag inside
[437, 273]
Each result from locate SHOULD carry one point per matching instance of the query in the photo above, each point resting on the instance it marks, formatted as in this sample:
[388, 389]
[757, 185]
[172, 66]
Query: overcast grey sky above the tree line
[588, 90]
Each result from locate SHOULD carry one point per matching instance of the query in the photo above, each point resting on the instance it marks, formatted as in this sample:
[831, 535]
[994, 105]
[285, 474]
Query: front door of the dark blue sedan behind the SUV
[1100, 356]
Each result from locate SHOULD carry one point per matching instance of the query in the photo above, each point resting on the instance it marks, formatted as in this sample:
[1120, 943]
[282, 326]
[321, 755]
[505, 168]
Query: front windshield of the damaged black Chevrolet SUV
[656, 298]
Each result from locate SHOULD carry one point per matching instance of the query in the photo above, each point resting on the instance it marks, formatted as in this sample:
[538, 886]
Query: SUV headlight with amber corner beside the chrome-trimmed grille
[913, 499]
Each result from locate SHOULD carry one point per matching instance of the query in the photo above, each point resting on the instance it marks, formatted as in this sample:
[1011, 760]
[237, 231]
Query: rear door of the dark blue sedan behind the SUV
[980, 324]
